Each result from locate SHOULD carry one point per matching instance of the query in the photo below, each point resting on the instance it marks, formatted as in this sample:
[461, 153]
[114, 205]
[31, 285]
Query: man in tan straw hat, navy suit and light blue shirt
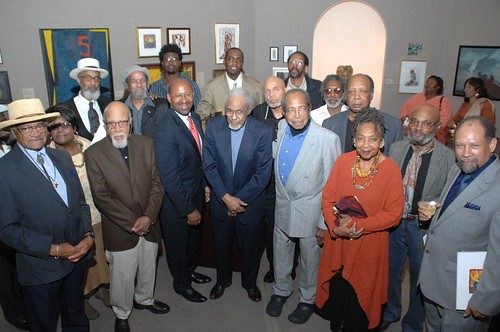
[44, 217]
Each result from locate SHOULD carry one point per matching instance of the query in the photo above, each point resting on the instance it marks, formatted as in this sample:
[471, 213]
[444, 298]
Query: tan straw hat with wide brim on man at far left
[26, 111]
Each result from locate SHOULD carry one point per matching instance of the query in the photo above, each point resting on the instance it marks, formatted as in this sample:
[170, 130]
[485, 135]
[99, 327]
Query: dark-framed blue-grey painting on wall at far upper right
[478, 61]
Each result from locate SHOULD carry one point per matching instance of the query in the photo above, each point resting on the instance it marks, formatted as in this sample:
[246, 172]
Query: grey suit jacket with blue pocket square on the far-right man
[461, 228]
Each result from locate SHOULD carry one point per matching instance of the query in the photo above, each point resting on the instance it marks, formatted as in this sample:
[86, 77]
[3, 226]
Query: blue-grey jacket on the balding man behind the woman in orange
[393, 129]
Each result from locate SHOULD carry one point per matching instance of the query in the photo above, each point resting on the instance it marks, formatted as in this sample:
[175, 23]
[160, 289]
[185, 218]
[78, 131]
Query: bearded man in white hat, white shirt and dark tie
[88, 104]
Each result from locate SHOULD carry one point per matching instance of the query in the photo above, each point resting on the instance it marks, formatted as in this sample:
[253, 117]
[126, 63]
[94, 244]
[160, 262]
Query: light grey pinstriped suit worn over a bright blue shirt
[298, 209]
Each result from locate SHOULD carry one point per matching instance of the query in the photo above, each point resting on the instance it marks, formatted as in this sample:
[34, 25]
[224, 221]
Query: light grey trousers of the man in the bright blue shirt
[284, 249]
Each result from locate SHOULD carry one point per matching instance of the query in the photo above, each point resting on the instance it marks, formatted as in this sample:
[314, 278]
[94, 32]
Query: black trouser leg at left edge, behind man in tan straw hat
[10, 291]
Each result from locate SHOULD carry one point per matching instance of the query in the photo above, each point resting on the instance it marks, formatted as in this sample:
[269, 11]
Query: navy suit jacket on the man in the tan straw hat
[33, 216]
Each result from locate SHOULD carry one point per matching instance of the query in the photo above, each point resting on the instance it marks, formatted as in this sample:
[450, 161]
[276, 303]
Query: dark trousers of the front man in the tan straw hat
[44, 303]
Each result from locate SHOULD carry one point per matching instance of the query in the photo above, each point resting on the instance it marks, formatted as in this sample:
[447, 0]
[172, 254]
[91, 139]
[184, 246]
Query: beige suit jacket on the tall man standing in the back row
[216, 92]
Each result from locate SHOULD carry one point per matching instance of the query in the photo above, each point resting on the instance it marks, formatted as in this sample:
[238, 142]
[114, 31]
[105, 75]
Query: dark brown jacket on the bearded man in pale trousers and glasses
[121, 194]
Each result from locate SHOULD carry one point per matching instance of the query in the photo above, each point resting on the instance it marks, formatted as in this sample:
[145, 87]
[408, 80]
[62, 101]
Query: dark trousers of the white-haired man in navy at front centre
[248, 237]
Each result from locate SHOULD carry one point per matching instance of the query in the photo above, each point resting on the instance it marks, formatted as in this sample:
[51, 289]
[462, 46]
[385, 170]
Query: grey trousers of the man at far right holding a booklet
[439, 319]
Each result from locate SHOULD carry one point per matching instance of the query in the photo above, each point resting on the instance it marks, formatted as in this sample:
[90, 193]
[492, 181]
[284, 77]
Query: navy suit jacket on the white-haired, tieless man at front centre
[252, 171]
